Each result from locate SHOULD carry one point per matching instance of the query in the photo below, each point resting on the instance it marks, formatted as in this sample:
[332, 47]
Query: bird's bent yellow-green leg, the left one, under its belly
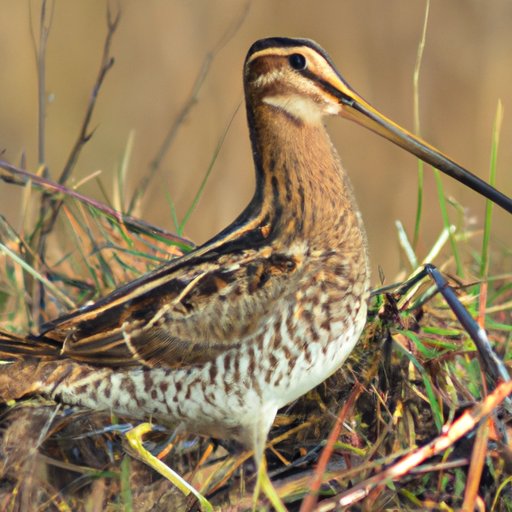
[134, 438]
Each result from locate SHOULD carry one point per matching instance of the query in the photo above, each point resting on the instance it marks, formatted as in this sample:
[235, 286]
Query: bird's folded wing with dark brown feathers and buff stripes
[183, 313]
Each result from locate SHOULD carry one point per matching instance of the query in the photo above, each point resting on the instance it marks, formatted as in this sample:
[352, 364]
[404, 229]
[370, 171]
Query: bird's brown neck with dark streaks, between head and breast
[302, 191]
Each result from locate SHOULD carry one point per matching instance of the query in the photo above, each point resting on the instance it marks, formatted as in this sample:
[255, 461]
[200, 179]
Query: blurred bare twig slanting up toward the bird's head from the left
[170, 136]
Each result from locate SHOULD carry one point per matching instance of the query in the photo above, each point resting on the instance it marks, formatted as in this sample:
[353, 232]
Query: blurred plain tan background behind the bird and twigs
[160, 48]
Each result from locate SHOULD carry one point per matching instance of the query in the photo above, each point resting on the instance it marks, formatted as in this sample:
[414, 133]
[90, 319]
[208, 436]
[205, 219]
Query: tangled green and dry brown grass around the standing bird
[410, 422]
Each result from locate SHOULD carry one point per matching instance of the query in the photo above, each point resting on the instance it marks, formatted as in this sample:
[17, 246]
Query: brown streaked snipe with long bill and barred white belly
[215, 342]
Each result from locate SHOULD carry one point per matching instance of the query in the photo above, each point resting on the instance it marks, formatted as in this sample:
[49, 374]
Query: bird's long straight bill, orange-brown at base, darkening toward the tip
[357, 109]
